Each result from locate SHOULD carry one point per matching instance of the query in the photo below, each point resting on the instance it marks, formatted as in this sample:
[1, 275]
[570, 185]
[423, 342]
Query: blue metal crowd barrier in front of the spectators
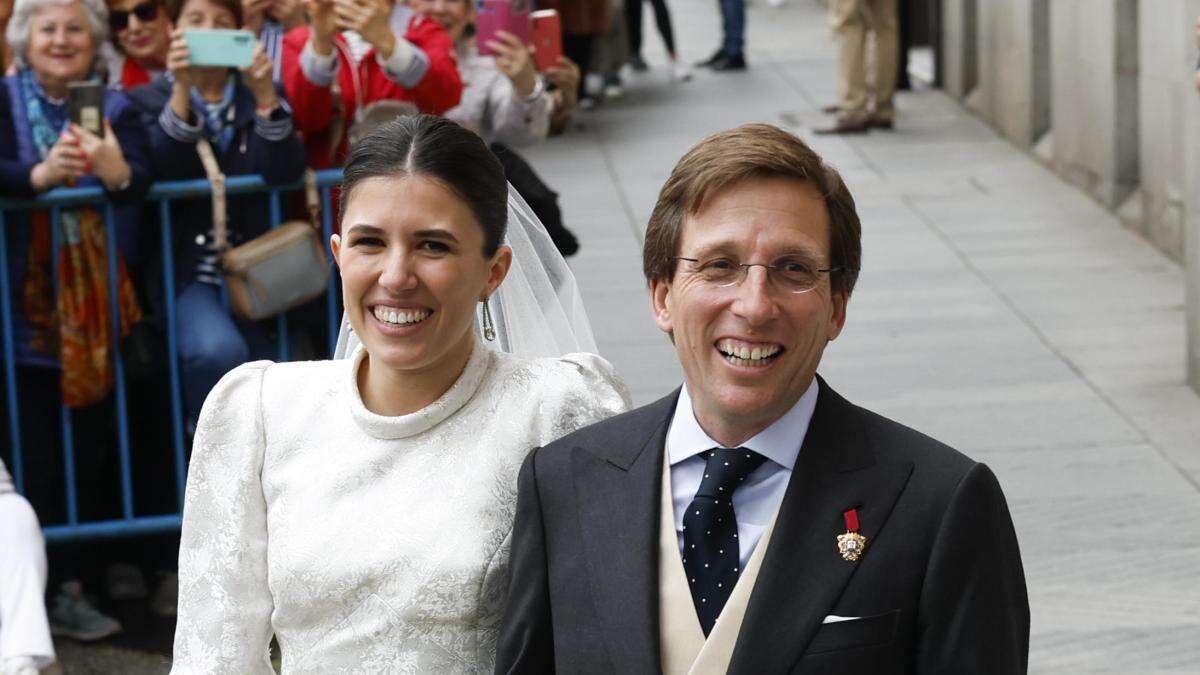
[55, 201]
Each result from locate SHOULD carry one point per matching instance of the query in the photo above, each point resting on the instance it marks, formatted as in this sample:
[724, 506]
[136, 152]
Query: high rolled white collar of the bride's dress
[400, 427]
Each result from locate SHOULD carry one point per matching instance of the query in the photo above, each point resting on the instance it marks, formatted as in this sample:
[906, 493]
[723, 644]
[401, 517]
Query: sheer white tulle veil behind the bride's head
[538, 310]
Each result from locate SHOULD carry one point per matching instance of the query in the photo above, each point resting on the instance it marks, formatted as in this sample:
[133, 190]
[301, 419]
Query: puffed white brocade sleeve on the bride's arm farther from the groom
[225, 605]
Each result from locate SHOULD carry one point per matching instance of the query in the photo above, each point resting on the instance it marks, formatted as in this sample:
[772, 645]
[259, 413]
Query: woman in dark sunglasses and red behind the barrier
[141, 34]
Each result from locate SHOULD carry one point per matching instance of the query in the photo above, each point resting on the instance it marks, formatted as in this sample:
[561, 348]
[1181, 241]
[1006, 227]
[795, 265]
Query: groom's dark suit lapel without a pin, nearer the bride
[617, 482]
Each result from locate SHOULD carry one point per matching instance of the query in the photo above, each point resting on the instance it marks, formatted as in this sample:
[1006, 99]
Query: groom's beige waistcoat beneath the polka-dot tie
[685, 650]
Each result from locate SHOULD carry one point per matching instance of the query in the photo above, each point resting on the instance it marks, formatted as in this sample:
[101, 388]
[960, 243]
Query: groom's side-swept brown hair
[725, 159]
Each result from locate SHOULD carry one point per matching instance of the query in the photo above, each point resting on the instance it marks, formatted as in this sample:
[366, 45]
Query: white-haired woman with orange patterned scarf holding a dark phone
[55, 44]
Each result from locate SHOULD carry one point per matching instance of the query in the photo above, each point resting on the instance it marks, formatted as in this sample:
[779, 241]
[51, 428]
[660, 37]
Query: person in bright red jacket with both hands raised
[359, 52]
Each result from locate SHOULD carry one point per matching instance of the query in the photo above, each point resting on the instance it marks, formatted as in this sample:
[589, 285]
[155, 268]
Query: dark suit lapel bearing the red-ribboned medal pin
[803, 576]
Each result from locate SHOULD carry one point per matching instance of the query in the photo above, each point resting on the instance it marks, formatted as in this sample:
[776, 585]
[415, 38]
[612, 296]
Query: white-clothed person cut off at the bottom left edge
[26, 643]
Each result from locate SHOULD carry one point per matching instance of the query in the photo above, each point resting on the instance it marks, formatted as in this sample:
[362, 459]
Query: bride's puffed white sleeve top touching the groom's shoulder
[589, 391]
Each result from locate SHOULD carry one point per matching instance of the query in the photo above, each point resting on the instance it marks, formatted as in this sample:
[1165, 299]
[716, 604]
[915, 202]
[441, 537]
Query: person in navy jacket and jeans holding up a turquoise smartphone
[248, 123]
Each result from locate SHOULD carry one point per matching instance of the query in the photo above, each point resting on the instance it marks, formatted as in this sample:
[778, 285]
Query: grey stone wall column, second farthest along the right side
[1013, 49]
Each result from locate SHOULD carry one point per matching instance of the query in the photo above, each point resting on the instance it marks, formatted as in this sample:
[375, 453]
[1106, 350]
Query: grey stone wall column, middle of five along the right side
[1094, 52]
